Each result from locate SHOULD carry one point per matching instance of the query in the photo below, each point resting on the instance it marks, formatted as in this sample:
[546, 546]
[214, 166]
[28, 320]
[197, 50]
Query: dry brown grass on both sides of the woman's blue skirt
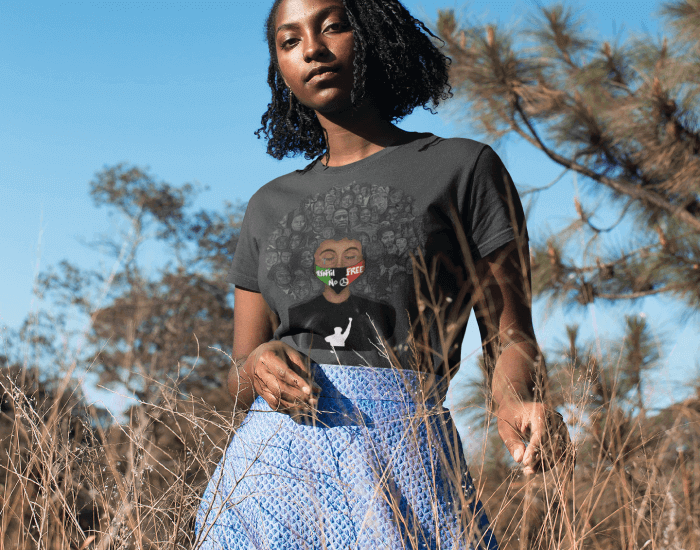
[67, 484]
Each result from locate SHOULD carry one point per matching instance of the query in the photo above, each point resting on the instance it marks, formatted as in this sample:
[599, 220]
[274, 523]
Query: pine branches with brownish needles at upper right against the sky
[624, 118]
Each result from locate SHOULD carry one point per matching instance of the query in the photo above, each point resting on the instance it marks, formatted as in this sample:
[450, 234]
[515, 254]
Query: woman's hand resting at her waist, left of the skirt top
[282, 377]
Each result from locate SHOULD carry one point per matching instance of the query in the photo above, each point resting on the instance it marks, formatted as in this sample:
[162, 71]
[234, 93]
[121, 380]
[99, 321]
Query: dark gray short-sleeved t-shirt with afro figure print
[330, 249]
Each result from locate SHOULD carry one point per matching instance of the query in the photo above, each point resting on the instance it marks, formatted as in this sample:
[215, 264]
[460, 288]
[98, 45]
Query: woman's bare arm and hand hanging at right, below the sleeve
[503, 311]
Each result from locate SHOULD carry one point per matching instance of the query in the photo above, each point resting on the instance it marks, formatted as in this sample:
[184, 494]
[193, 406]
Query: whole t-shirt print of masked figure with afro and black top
[337, 257]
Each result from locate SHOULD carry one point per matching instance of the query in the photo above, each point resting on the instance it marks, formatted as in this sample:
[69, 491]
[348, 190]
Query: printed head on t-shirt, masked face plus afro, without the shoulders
[366, 236]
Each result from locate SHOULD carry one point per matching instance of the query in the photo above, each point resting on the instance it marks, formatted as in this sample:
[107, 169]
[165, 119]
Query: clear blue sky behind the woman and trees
[180, 87]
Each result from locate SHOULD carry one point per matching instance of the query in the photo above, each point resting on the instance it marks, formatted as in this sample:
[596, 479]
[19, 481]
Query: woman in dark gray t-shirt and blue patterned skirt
[346, 444]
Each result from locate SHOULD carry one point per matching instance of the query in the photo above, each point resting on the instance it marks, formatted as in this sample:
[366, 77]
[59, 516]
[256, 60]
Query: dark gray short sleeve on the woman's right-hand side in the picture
[493, 214]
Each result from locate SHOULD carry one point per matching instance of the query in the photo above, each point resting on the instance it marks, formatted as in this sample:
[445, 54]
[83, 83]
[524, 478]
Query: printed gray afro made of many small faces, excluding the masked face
[381, 218]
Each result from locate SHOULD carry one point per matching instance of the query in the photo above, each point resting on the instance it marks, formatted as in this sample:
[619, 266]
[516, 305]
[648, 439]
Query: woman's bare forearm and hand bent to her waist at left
[262, 366]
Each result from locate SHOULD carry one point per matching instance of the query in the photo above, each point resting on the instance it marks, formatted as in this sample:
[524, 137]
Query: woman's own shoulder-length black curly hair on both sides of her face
[396, 63]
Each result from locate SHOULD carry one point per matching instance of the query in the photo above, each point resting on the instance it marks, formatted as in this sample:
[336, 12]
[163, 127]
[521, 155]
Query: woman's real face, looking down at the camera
[315, 51]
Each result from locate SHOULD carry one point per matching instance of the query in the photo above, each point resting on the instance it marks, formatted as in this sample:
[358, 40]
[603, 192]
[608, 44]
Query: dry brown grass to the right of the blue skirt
[636, 484]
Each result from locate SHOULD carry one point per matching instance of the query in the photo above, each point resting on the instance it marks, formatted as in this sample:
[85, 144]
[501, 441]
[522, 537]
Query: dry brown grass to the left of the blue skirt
[67, 483]
